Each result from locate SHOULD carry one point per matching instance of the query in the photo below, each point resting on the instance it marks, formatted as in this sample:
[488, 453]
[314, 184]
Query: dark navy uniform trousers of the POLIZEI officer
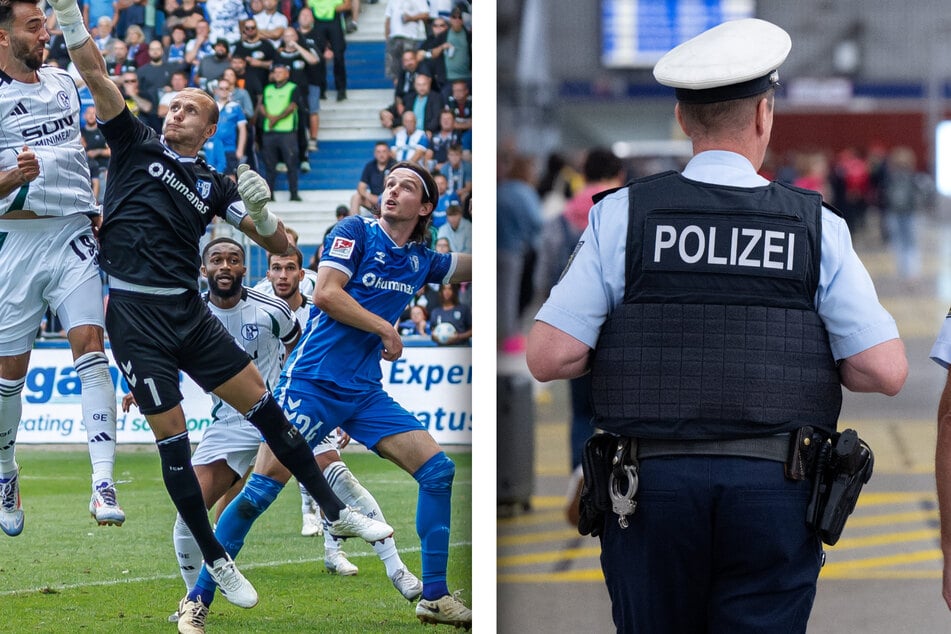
[717, 544]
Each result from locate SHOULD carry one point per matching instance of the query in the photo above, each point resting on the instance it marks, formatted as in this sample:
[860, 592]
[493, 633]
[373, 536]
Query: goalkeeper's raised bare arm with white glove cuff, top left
[88, 60]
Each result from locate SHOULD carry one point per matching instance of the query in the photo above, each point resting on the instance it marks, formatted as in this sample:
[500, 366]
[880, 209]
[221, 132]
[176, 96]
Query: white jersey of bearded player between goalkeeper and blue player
[261, 325]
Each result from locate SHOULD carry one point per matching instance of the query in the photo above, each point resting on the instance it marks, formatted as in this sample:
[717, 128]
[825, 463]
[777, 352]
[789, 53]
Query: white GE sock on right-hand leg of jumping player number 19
[99, 413]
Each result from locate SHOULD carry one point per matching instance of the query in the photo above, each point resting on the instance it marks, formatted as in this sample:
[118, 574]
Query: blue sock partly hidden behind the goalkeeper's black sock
[235, 523]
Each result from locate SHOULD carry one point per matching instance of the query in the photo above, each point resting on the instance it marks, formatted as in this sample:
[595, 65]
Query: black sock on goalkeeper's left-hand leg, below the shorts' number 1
[183, 488]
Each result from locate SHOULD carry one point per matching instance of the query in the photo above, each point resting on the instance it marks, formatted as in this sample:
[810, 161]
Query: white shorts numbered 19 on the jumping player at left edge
[47, 263]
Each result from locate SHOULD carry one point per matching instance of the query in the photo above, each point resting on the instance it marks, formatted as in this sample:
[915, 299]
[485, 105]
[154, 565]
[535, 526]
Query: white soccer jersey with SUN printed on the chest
[44, 117]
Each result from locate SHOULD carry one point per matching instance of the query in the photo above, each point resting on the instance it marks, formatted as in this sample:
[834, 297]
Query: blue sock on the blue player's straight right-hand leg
[432, 521]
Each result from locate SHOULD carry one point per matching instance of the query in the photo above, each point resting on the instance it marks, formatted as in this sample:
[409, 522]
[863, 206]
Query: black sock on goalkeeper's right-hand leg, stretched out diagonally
[291, 449]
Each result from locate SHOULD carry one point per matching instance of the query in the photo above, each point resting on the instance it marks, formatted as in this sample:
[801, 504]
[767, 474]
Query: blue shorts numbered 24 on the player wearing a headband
[316, 408]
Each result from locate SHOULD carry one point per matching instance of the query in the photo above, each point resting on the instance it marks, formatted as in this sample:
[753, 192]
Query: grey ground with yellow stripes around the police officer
[883, 576]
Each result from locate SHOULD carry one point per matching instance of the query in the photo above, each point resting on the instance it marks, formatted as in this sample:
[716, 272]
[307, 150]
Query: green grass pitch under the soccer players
[66, 574]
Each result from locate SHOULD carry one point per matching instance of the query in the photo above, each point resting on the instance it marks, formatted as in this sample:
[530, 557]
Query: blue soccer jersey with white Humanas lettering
[383, 279]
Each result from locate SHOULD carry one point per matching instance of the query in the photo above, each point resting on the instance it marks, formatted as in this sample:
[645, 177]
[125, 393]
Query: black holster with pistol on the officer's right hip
[844, 464]
